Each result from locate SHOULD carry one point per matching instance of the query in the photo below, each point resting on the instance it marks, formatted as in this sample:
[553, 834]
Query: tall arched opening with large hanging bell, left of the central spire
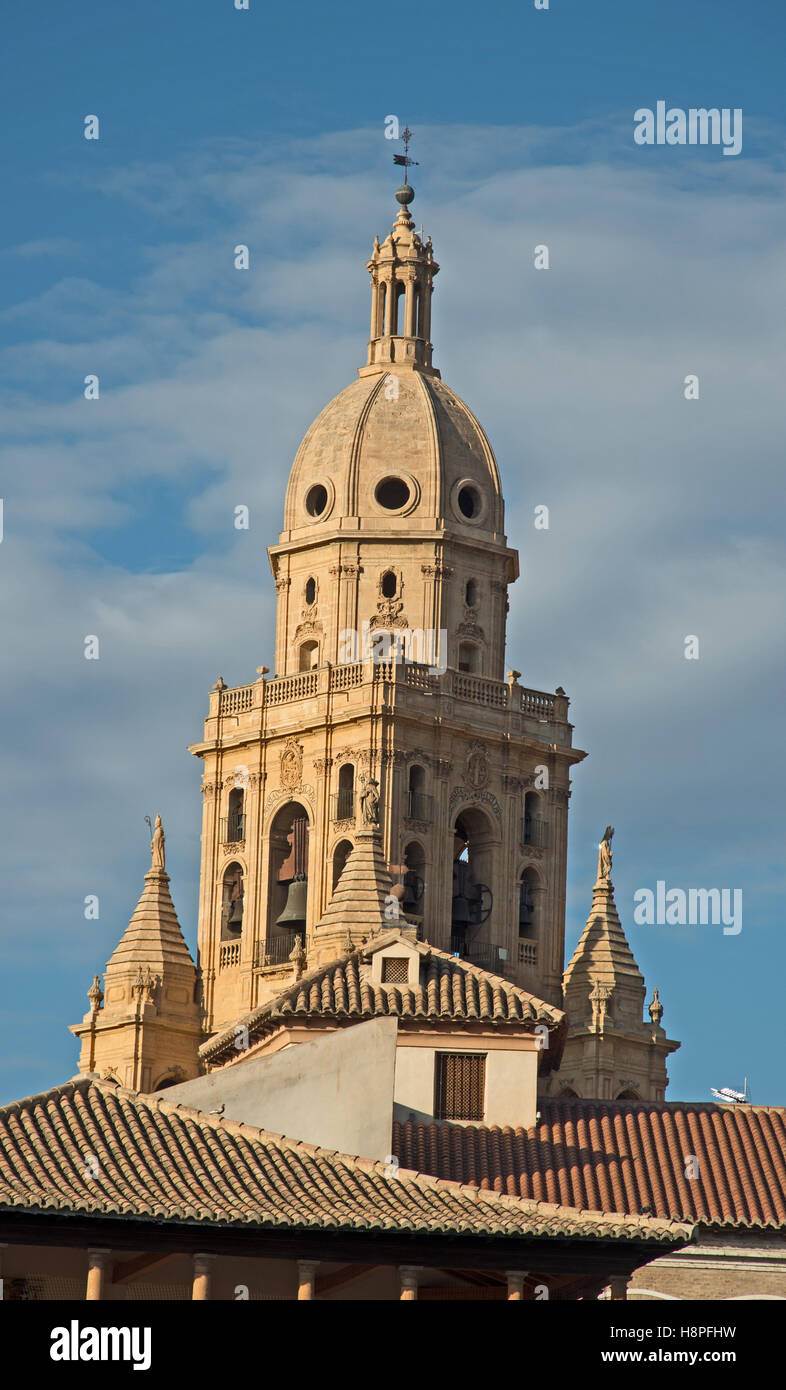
[289, 881]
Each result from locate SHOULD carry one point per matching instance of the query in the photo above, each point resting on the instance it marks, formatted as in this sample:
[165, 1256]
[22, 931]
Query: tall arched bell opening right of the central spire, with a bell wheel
[474, 872]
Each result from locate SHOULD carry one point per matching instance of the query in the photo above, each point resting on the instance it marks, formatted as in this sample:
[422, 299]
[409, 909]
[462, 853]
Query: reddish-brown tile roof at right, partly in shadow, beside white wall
[623, 1157]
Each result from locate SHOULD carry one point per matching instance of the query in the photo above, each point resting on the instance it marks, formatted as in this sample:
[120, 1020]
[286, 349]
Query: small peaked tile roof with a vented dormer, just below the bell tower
[453, 992]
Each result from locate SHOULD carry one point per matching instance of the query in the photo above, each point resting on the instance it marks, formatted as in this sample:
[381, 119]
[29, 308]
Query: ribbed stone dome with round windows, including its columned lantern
[397, 451]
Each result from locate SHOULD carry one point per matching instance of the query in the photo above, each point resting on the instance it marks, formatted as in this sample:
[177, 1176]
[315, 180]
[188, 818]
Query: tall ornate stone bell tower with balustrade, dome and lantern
[392, 578]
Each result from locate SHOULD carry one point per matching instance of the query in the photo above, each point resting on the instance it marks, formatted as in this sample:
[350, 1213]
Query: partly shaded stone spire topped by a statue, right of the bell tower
[611, 1052]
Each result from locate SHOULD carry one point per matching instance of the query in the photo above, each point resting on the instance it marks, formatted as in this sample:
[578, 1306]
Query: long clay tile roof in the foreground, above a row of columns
[168, 1163]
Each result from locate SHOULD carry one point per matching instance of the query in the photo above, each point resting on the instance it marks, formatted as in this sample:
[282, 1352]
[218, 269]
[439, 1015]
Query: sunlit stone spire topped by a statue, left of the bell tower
[148, 1032]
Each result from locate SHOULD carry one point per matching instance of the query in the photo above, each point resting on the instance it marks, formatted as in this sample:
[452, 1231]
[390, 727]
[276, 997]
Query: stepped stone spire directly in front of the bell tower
[362, 903]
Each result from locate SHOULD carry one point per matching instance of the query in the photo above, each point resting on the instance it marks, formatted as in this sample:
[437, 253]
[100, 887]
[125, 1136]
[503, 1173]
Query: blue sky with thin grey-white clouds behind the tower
[266, 129]
